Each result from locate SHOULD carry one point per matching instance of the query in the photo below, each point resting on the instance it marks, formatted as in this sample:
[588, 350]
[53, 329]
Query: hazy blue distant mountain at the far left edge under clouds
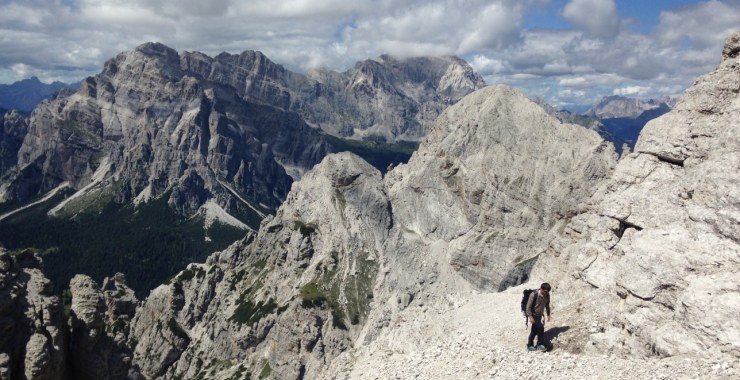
[26, 94]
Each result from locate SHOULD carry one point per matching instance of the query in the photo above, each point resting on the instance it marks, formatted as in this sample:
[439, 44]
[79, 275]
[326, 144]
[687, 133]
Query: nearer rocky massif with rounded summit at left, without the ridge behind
[143, 128]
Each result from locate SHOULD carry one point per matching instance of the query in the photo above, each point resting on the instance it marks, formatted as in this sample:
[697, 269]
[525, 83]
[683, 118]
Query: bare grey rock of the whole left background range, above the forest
[230, 129]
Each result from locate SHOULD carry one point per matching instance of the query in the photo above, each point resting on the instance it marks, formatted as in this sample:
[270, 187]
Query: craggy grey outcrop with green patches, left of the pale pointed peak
[283, 301]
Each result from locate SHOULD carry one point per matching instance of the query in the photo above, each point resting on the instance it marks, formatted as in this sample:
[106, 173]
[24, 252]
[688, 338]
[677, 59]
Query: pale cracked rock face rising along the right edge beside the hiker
[659, 252]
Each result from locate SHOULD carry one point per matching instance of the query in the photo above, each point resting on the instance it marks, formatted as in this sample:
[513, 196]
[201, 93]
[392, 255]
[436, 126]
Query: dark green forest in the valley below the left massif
[148, 243]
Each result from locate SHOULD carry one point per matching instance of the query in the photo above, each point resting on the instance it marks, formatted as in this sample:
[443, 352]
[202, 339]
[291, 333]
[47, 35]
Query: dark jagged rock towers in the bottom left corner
[33, 334]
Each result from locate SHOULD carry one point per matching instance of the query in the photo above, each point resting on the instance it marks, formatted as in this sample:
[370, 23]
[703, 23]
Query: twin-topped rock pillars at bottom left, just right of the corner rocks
[99, 323]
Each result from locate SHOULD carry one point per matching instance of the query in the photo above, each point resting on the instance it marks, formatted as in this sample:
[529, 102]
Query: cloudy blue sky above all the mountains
[568, 52]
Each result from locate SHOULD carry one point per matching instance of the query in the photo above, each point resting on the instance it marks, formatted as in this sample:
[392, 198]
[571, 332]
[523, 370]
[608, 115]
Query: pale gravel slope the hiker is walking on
[483, 337]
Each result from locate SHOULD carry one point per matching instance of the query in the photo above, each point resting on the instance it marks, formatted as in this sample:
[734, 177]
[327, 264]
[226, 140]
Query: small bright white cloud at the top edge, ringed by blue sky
[598, 17]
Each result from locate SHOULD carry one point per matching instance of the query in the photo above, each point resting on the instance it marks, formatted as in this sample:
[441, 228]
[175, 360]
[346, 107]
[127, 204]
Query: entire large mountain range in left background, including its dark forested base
[204, 147]
